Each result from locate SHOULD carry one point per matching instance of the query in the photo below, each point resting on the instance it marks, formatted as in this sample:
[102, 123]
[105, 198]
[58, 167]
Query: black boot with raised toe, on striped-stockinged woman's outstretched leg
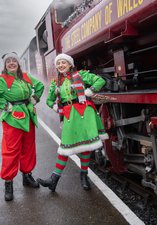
[51, 182]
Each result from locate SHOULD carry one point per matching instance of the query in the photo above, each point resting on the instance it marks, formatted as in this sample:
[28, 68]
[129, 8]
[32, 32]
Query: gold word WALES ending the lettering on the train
[125, 6]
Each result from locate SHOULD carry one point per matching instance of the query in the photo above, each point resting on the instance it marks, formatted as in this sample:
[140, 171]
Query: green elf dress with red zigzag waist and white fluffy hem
[82, 127]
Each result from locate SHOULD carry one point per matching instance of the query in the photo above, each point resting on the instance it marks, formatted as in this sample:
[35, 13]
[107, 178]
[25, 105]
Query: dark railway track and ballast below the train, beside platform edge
[142, 201]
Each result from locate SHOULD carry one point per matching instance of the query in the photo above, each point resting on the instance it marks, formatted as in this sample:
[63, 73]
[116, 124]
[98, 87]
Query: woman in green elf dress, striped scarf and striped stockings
[82, 130]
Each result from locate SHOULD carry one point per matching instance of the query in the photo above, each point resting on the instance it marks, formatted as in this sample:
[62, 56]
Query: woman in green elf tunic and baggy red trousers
[19, 93]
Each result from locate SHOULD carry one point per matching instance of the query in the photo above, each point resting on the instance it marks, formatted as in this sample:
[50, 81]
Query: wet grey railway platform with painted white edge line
[70, 205]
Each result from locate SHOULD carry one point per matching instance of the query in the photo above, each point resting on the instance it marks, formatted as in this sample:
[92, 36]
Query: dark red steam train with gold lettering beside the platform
[116, 39]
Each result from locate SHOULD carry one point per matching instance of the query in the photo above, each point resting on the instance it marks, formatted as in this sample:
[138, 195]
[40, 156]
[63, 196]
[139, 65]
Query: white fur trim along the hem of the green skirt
[79, 149]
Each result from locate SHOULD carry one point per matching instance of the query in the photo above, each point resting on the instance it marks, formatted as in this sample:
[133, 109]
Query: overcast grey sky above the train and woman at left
[18, 19]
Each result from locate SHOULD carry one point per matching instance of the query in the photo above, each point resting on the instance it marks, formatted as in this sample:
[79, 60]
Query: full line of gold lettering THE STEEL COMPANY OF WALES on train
[103, 17]
